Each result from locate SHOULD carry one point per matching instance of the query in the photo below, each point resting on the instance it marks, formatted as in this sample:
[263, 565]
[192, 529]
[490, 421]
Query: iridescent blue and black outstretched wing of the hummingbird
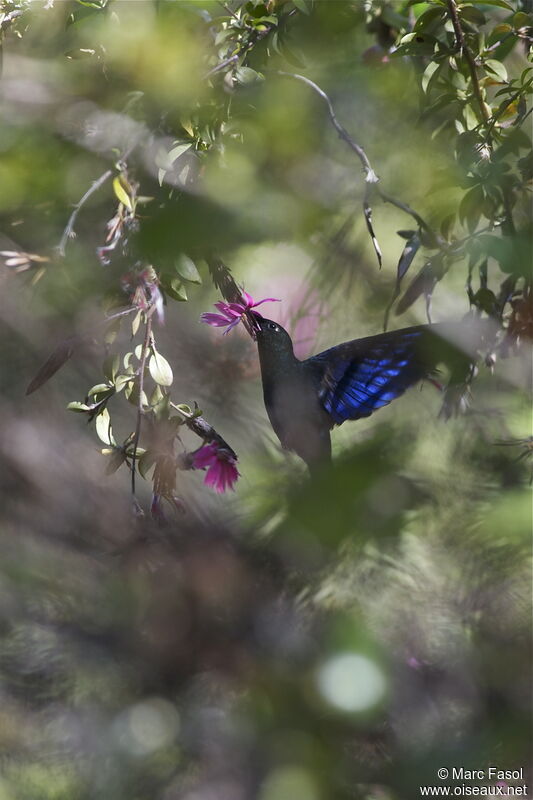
[357, 378]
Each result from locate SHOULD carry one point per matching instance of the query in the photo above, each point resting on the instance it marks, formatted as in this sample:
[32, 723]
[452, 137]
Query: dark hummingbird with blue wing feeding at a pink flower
[305, 399]
